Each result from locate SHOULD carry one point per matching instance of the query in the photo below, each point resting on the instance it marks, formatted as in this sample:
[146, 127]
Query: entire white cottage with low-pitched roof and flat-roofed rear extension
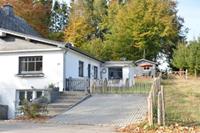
[30, 64]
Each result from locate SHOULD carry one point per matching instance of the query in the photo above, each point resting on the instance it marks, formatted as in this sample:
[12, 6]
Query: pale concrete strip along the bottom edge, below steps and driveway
[28, 127]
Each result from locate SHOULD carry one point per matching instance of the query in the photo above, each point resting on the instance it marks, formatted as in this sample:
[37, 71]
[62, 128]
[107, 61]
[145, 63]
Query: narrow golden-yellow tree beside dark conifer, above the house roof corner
[78, 30]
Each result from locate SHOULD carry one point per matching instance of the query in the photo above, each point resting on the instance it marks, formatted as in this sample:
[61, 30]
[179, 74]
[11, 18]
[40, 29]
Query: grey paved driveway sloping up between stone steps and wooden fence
[112, 110]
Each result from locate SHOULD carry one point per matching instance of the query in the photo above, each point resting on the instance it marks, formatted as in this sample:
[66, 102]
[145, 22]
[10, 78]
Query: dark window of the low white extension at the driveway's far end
[115, 73]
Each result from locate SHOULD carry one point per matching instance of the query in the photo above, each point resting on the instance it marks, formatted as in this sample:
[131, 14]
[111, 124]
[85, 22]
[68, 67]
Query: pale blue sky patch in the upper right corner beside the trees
[190, 11]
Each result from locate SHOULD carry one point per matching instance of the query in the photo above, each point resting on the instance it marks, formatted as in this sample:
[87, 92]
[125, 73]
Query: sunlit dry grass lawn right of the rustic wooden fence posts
[182, 101]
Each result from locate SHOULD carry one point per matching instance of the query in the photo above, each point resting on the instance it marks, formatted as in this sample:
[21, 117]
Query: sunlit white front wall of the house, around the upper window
[10, 81]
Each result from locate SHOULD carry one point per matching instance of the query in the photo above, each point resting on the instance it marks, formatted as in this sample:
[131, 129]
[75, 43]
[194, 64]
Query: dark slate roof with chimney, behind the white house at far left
[8, 20]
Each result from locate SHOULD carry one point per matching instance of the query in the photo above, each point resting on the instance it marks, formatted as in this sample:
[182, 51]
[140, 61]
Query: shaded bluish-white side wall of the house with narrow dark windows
[72, 59]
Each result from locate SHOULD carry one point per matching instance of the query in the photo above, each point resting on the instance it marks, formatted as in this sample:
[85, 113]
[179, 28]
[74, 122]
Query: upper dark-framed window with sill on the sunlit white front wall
[31, 64]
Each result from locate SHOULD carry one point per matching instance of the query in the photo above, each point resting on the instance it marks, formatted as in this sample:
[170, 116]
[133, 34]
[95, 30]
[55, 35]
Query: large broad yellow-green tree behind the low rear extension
[150, 25]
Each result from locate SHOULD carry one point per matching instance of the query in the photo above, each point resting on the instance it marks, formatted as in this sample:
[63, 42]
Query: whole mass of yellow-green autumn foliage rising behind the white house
[124, 29]
